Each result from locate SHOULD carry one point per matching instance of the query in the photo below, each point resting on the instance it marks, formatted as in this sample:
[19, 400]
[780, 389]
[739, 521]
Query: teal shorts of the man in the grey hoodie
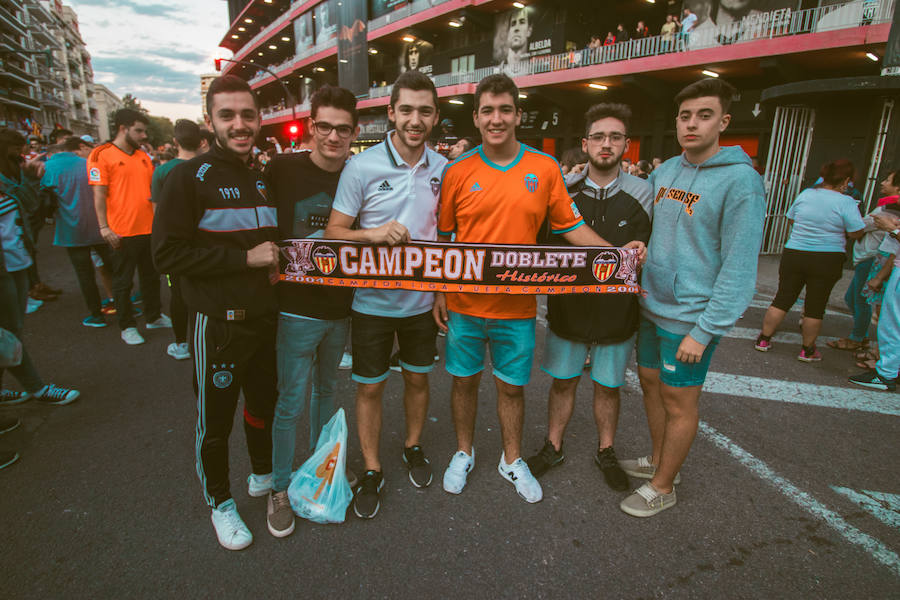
[656, 349]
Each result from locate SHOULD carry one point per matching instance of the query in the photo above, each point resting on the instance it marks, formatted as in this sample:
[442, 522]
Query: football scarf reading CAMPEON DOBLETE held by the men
[453, 267]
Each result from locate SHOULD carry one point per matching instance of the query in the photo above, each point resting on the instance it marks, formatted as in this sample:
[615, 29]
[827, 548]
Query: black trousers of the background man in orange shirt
[134, 253]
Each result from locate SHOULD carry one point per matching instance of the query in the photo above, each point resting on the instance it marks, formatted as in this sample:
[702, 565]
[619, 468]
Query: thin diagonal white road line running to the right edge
[806, 501]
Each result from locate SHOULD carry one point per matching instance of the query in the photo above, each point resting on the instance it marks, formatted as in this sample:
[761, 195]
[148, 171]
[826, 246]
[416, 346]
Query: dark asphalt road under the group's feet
[105, 502]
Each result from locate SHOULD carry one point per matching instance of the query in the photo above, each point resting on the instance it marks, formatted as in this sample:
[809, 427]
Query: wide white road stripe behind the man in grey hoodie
[793, 392]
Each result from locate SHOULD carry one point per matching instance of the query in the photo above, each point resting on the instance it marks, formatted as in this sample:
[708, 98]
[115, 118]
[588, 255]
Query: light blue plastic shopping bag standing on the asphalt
[319, 490]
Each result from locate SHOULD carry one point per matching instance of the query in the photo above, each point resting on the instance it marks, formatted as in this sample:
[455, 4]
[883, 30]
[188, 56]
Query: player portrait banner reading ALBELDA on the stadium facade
[520, 34]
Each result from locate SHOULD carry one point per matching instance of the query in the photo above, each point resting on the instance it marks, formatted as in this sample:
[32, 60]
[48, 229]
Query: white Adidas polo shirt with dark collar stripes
[378, 186]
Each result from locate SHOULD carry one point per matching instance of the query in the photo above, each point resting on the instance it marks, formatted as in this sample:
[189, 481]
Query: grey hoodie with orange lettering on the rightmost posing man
[707, 231]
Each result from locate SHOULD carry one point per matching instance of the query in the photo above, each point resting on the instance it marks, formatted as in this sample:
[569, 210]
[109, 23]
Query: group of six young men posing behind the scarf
[218, 221]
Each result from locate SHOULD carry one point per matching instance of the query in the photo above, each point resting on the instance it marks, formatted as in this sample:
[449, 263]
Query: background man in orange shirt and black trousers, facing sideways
[120, 174]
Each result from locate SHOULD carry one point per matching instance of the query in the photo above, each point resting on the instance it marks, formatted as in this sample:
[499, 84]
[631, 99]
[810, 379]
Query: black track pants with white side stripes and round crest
[231, 357]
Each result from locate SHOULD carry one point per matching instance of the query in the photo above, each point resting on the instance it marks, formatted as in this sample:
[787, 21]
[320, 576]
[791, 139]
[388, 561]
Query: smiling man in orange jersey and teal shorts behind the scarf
[499, 193]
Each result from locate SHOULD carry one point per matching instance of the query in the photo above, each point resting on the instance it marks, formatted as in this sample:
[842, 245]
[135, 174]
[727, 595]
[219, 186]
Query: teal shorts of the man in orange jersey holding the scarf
[511, 342]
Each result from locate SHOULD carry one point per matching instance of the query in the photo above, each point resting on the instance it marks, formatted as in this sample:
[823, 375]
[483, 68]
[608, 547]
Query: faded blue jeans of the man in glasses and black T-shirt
[304, 347]
